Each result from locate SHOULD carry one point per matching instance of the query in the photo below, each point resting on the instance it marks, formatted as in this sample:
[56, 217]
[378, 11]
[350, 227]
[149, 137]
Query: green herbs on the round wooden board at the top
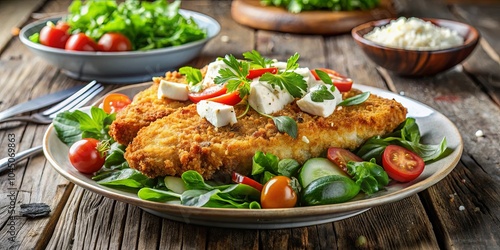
[296, 6]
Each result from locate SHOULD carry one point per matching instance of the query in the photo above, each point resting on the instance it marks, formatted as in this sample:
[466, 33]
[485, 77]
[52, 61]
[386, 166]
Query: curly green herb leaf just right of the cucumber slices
[368, 175]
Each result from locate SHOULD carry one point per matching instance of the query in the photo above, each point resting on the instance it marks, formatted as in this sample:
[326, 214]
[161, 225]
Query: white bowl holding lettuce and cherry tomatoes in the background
[121, 67]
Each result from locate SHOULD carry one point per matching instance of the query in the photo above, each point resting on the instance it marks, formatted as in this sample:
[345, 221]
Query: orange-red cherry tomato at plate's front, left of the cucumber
[278, 193]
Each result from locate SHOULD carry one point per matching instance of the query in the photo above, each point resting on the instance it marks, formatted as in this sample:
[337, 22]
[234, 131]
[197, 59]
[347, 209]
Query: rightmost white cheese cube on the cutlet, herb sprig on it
[324, 108]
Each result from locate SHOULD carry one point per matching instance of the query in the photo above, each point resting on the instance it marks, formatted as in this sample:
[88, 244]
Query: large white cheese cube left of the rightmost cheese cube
[267, 100]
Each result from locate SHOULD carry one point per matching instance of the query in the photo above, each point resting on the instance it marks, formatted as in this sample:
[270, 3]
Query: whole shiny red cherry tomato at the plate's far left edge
[85, 156]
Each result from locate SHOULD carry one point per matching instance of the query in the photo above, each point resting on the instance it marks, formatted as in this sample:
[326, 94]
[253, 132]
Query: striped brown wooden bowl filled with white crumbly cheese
[408, 62]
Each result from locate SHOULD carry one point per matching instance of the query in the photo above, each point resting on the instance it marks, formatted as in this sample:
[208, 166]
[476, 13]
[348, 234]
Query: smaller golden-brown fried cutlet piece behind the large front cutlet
[144, 109]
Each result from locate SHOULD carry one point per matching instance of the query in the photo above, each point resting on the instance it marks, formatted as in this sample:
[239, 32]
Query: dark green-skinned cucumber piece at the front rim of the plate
[329, 190]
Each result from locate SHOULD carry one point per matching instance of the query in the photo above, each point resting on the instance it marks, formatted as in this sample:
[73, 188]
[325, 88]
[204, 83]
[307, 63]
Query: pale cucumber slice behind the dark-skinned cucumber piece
[315, 168]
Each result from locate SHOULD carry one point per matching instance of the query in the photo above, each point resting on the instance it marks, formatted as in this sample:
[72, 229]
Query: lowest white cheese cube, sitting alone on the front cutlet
[217, 114]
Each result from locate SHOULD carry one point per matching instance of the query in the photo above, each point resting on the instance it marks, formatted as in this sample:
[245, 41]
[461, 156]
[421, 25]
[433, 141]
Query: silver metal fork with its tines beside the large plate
[77, 100]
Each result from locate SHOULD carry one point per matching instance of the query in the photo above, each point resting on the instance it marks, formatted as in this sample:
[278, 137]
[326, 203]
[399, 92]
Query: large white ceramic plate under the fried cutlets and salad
[427, 119]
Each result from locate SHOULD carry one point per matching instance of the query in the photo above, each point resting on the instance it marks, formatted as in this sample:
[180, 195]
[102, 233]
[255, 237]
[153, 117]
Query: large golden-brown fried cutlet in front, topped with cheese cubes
[183, 141]
